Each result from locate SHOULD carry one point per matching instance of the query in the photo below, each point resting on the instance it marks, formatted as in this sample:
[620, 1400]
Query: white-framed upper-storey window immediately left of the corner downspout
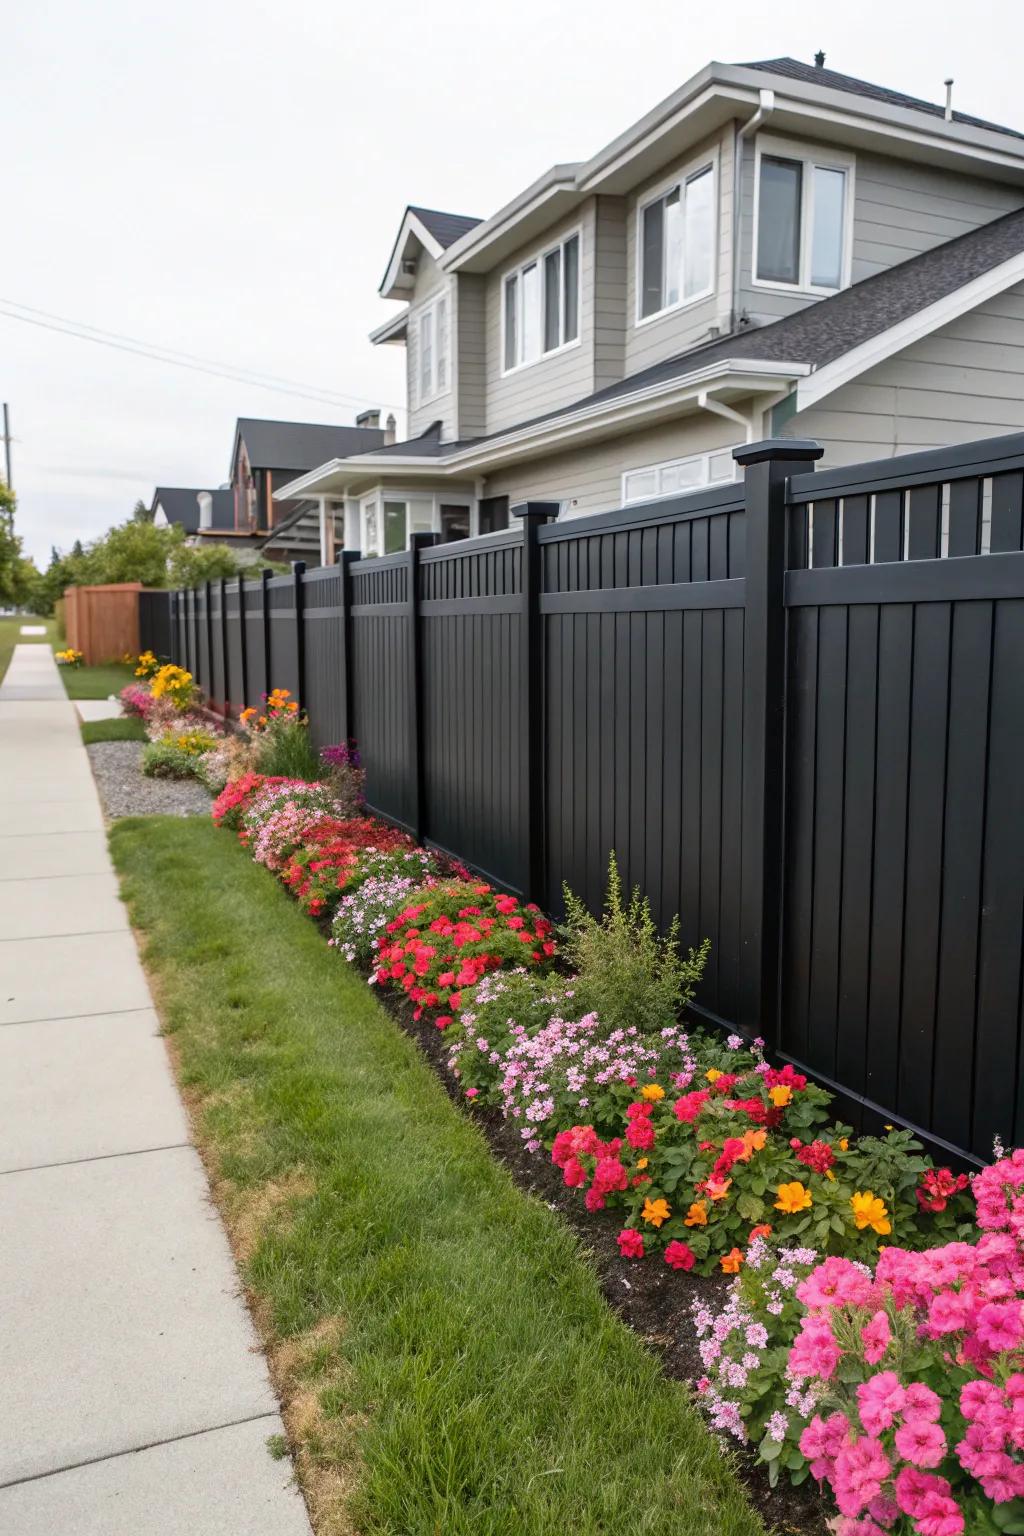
[678, 240]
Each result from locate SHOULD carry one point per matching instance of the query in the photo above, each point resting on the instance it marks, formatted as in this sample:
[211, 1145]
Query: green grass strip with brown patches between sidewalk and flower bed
[448, 1363]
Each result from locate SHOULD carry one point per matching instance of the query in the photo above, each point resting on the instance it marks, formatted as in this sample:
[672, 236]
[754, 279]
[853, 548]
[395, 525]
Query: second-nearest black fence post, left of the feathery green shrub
[532, 695]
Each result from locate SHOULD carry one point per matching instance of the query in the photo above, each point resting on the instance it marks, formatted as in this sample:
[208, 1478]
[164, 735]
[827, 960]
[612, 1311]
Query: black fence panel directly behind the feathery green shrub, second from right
[644, 729]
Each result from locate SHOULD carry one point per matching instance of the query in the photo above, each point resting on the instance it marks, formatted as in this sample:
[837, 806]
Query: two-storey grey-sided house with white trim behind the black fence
[778, 248]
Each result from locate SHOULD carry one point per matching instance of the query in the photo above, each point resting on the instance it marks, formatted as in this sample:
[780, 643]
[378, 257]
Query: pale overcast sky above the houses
[226, 179]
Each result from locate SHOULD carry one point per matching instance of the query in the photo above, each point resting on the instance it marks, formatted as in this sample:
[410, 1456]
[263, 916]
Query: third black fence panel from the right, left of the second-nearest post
[471, 601]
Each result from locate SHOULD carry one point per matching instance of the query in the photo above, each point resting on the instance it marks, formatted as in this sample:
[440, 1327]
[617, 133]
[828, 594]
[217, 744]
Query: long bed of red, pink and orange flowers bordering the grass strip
[871, 1334]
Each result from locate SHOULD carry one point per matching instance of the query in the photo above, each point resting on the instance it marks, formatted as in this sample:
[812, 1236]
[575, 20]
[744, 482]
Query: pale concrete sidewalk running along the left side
[134, 1400]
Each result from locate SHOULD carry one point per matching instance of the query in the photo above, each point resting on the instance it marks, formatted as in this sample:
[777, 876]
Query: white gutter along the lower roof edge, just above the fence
[750, 374]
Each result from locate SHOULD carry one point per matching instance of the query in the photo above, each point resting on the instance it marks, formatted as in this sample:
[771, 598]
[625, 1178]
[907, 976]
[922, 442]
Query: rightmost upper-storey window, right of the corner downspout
[802, 217]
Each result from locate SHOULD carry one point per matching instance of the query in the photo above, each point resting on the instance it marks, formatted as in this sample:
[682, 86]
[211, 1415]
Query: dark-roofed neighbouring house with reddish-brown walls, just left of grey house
[269, 454]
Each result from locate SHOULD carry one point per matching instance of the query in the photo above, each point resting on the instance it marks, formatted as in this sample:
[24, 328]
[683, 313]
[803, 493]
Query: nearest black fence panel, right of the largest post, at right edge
[905, 803]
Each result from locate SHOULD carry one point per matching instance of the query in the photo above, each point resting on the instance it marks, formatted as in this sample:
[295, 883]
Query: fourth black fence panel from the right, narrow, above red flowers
[383, 677]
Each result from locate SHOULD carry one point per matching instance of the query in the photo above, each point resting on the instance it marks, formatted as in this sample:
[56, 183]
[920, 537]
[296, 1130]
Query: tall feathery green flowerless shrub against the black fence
[627, 972]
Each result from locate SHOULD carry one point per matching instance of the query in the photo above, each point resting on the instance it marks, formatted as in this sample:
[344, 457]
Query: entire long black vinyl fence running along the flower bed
[794, 707]
